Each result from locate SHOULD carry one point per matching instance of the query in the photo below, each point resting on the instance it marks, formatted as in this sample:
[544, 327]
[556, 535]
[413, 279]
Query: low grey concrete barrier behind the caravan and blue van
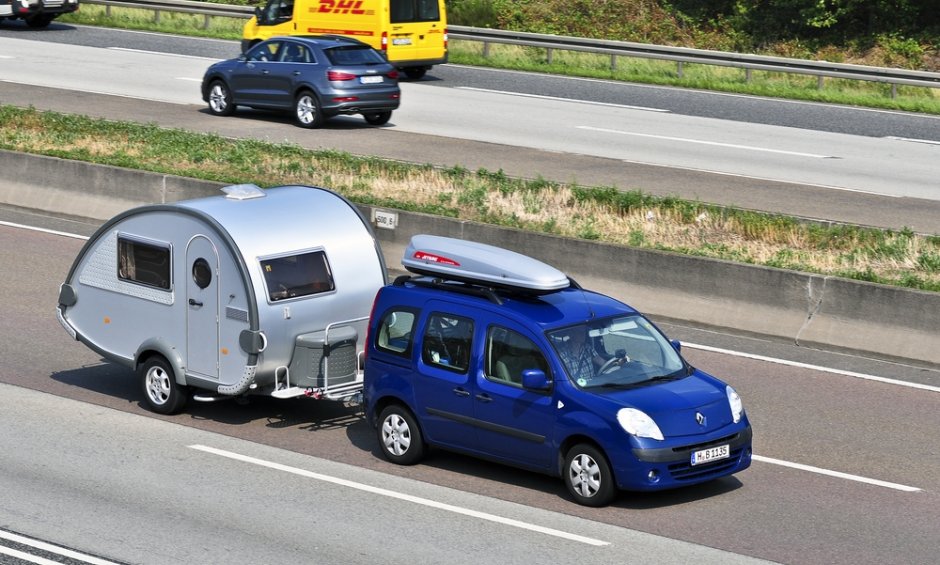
[814, 310]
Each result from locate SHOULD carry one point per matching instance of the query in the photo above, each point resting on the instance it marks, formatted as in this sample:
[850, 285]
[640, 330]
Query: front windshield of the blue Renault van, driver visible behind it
[617, 353]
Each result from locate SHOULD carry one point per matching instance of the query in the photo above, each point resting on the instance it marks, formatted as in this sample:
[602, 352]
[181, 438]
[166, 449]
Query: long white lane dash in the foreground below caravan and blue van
[402, 496]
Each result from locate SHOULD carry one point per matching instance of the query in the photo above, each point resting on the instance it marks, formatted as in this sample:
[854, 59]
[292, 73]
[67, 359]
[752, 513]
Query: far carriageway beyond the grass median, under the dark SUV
[718, 126]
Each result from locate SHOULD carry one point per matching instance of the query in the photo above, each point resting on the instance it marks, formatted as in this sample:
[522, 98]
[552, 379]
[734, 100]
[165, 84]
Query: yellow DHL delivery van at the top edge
[412, 34]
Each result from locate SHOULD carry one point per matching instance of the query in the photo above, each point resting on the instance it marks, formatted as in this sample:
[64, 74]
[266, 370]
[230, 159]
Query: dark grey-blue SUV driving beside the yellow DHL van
[315, 77]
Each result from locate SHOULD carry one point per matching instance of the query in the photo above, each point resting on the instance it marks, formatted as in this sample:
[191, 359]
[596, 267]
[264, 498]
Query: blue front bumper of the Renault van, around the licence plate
[670, 467]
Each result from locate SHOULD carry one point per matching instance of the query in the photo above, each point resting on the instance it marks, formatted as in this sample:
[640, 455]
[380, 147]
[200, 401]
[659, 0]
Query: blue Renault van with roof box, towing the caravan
[500, 356]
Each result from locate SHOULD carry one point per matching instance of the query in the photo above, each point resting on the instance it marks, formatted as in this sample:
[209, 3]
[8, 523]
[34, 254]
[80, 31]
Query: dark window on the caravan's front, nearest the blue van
[293, 276]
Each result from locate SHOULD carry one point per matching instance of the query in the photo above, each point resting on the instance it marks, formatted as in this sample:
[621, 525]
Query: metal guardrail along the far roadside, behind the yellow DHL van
[615, 49]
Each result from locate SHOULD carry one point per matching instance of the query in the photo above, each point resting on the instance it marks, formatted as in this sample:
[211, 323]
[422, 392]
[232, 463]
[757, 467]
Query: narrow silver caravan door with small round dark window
[202, 308]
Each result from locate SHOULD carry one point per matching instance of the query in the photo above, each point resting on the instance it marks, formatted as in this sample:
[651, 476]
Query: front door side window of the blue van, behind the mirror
[509, 353]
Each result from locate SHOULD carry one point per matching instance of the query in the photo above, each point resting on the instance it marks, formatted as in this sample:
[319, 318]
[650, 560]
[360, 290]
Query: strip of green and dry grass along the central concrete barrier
[634, 218]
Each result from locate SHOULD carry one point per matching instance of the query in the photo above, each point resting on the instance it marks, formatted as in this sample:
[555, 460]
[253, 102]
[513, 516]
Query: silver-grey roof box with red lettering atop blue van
[478, 263]
